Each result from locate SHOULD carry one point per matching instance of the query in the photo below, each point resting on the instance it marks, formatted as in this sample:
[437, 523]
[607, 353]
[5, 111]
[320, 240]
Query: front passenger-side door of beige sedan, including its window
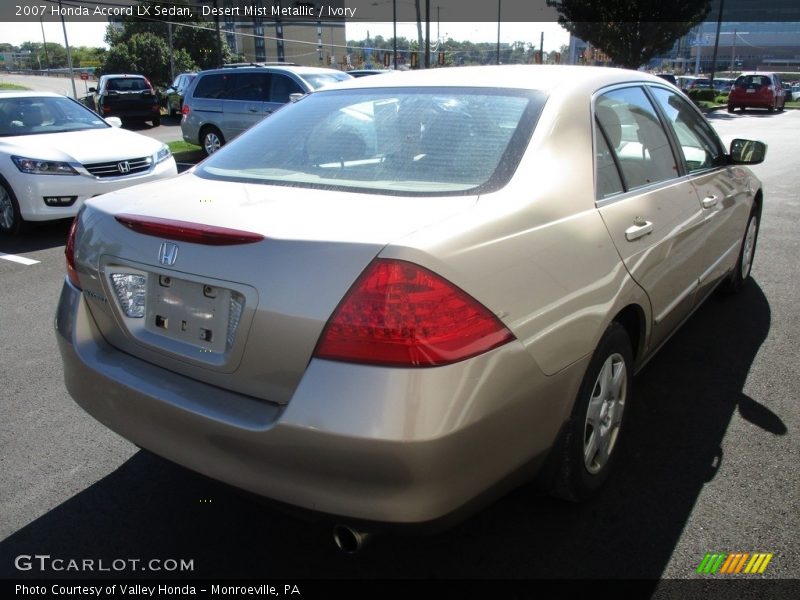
[722, 196]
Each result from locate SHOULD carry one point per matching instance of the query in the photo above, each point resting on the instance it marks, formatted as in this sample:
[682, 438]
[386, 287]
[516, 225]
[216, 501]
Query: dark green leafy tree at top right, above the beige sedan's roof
[631, 32]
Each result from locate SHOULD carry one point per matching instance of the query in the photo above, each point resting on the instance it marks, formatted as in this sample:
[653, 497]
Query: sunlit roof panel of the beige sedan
[546, 78]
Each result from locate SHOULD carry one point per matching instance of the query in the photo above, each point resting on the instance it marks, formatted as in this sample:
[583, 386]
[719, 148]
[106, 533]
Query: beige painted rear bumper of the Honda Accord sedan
[392, 446]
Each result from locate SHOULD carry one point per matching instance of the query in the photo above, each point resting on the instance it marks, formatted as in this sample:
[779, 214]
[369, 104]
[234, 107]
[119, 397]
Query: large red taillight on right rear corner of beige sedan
[400, 314]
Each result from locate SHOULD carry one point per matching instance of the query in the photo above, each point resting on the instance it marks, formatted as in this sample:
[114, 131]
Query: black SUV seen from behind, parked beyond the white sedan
[129, 97]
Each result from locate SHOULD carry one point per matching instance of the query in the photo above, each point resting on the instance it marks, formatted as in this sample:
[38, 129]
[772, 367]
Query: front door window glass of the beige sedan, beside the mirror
[699, 144]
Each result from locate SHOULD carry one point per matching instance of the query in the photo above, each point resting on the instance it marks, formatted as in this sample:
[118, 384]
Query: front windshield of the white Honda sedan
[29, 115]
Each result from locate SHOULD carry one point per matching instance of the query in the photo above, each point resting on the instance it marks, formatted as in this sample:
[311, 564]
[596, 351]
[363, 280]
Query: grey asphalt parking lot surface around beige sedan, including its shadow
[708, 464]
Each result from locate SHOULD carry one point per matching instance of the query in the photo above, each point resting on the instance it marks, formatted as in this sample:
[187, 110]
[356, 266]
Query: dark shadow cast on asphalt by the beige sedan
[684, 402]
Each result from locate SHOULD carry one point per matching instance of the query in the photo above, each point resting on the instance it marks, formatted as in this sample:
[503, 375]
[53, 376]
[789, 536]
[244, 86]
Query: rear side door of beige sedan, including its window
[651, 211]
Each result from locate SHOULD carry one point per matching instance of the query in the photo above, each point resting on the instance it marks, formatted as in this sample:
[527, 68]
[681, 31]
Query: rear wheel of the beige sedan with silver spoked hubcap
[591, 437]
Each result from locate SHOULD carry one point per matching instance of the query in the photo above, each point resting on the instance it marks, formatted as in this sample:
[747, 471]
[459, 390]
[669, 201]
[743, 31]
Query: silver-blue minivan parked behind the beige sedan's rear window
[222, 103]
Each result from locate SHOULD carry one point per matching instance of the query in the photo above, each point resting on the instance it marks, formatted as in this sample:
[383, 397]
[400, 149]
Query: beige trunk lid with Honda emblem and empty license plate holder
[245, 317]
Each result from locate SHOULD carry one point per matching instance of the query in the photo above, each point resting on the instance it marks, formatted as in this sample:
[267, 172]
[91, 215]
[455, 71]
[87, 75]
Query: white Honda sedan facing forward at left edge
[55, 153]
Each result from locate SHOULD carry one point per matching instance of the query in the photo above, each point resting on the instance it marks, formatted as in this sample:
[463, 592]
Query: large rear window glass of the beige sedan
[396, 141]
